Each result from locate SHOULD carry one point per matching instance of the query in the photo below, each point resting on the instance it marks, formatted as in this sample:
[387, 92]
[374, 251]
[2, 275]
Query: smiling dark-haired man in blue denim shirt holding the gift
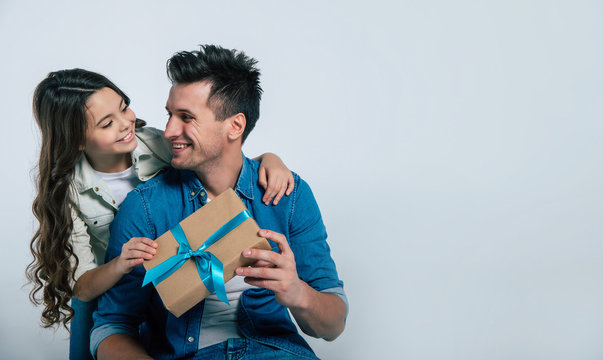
[212, 106]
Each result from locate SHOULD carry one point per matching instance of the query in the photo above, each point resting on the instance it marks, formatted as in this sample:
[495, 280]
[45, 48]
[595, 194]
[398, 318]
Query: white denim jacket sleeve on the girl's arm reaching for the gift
[80, 242]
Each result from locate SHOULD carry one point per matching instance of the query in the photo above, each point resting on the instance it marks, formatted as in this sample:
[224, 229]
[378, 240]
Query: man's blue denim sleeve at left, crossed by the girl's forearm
[122, 308]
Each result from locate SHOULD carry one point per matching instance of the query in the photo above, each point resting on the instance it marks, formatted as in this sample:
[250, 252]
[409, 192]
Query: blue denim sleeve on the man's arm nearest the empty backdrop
[308, 240]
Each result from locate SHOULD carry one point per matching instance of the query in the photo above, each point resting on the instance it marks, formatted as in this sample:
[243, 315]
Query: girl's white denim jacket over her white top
[95, 206]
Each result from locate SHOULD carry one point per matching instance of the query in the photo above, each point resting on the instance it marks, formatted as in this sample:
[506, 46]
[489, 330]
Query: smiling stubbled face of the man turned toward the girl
[197, 138]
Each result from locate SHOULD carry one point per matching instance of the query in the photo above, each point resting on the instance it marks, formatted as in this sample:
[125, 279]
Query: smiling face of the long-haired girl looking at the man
[110, 131]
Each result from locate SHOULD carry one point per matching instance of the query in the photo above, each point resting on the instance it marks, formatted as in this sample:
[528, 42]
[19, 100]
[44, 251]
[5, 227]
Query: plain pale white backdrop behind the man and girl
[454, 148]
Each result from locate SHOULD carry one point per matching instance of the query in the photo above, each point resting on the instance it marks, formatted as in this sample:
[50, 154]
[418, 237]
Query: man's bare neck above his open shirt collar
[224, 174]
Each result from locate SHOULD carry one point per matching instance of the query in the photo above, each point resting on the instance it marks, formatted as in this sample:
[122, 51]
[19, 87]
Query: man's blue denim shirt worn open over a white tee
[158, 205]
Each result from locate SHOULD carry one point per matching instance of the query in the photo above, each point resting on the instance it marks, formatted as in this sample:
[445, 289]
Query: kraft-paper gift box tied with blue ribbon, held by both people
[201, 253]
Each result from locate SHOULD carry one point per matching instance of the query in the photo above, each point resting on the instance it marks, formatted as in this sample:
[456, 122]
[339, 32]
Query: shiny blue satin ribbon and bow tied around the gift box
[209, 267]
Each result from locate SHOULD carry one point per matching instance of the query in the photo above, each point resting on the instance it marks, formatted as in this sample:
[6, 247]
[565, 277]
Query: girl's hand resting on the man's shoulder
[275, 177]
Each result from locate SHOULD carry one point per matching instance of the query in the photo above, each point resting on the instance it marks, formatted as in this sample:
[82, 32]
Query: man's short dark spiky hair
[234, 77]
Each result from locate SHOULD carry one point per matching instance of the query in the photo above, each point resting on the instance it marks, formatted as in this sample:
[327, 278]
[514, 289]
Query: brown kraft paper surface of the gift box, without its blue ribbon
[184, 289]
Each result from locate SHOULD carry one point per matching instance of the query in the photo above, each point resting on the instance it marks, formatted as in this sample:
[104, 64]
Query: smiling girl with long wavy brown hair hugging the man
[94, 151]
